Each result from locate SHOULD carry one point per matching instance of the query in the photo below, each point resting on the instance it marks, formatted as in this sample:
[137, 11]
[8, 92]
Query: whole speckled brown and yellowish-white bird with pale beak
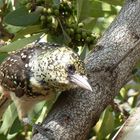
[34, 73]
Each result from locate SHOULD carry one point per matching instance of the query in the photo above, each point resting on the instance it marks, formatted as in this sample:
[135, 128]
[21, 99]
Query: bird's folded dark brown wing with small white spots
[13, 75]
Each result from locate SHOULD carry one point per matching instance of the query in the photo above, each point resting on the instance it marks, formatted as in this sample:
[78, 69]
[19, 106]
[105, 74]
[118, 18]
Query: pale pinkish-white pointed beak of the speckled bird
[81, 81]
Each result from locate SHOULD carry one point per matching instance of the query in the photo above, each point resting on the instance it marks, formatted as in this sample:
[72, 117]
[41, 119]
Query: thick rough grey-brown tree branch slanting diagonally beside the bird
[109, 66]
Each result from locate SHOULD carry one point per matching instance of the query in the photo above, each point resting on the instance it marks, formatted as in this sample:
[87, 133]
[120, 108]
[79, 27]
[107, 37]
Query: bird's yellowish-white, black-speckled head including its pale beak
[66, 70]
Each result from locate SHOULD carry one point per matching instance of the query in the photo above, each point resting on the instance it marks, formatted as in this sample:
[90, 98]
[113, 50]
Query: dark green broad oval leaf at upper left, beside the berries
[21, 17]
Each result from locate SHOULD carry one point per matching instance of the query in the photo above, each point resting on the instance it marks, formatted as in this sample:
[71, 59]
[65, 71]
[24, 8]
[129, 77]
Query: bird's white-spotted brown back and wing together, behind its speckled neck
[14, 71]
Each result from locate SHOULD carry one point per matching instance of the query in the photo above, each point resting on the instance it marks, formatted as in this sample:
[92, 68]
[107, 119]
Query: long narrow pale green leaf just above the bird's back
[19, 43]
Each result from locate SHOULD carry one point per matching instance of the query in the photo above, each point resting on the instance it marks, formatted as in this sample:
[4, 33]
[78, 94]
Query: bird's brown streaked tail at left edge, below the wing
[4, 103]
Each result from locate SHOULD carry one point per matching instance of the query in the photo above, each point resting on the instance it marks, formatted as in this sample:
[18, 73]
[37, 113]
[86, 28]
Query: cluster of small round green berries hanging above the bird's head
[62, 17]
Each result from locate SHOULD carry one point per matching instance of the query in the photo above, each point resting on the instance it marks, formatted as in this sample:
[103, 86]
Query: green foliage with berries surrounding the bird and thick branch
[75, 23]
